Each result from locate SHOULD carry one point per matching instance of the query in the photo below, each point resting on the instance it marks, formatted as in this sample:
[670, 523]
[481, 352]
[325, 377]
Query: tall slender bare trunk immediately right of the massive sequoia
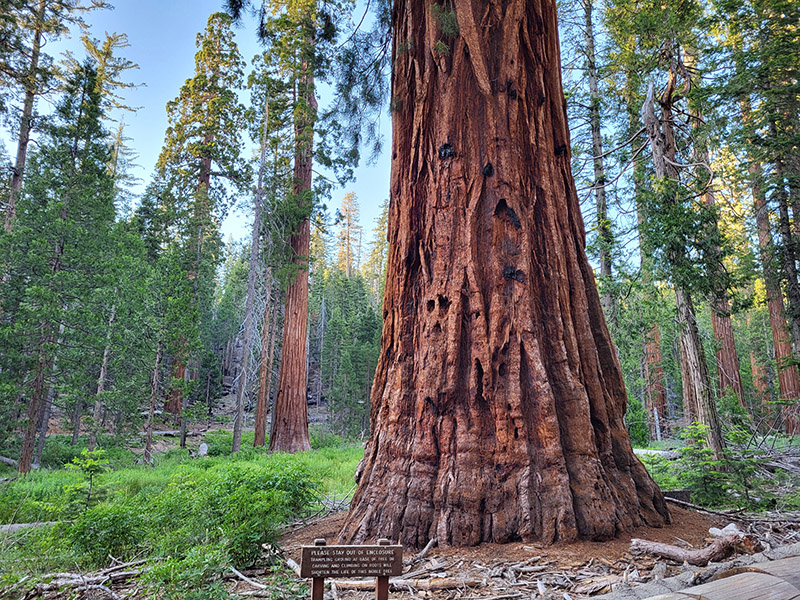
[606, 239]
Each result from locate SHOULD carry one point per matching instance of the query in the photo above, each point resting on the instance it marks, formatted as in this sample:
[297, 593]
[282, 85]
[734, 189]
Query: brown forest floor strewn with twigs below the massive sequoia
[562, 571]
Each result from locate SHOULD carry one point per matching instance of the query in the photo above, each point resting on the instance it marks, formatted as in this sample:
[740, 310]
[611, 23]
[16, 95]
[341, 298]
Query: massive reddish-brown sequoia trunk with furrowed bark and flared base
[498, 401]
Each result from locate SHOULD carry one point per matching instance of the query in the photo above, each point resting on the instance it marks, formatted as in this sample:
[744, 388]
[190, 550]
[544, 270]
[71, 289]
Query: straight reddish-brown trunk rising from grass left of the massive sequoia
[290, 420]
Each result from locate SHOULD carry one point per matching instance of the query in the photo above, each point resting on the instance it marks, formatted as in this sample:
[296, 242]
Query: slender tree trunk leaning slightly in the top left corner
[26, 119]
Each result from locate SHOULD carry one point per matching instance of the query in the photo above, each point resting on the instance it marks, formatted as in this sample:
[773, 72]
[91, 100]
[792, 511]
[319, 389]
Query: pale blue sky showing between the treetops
[162, 42]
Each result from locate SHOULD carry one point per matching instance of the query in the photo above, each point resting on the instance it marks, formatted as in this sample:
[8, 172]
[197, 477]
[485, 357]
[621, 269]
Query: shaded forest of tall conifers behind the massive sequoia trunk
[119, 311]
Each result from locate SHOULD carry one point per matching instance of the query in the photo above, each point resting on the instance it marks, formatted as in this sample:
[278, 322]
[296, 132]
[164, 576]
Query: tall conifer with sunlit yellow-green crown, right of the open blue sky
[199, 161]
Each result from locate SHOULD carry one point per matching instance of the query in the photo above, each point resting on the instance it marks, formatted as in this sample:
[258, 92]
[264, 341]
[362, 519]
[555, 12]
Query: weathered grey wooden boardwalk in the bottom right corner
[776, 580]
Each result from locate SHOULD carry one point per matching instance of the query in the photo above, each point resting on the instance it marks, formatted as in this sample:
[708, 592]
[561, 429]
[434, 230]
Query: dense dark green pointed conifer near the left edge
[68, 213]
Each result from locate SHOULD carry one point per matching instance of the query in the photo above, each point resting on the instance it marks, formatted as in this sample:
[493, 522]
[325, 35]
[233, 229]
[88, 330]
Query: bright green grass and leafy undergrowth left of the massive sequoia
[191, 518]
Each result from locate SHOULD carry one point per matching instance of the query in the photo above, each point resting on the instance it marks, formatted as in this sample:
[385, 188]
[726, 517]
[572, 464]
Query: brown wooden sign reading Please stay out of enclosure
[320, 561]
